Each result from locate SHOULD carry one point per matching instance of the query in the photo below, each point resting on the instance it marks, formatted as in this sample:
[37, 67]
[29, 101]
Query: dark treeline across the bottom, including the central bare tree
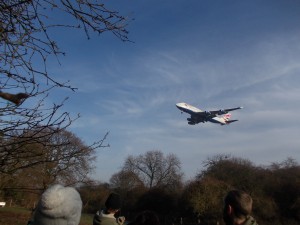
[153, 181]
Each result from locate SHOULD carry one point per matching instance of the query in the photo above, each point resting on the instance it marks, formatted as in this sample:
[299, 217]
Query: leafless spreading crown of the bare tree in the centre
[155, 170]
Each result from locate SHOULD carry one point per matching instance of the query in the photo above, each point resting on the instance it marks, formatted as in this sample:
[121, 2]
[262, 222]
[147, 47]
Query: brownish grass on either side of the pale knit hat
[20, 216]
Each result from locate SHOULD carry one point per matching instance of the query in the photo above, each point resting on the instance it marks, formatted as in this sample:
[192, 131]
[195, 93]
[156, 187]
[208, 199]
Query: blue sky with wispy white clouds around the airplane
[211, 54]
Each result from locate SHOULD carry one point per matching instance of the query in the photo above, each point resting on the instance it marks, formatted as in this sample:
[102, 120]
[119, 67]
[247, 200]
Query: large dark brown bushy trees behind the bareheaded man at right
[275, 189]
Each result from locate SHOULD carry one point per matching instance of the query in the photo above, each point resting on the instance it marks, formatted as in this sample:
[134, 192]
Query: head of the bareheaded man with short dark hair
[237, 207]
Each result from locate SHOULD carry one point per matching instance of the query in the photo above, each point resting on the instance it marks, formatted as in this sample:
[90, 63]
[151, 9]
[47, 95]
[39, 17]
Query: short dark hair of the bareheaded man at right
[240, 201]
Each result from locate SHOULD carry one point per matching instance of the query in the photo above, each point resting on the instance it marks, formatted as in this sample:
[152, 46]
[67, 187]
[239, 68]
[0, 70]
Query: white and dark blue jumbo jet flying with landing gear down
[199, 116]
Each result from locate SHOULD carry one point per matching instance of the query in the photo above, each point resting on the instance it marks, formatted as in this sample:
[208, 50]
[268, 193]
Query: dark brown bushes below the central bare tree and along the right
[275, 190]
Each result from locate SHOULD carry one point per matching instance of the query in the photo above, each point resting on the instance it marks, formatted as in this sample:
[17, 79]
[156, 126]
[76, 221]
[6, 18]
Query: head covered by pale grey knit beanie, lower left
[58, 205]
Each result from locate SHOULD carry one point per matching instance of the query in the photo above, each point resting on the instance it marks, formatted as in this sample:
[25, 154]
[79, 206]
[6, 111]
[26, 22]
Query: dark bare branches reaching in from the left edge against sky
[25, 48]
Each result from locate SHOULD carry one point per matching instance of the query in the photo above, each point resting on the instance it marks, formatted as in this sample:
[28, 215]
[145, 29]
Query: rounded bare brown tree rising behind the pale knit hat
[63, 158]
